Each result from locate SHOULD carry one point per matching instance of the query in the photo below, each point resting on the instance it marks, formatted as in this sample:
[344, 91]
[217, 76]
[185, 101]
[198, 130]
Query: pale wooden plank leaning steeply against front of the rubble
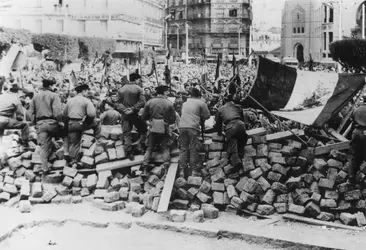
[168, 188]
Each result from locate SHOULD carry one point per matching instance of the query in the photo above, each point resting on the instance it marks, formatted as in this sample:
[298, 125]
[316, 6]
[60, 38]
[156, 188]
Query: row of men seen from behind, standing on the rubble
[153, 120]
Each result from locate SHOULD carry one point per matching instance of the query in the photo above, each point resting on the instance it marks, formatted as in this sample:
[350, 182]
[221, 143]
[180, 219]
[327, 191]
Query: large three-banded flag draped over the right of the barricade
[310, 98]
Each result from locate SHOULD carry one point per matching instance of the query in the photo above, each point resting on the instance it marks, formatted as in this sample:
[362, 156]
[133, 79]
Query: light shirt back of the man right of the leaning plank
[193, 111]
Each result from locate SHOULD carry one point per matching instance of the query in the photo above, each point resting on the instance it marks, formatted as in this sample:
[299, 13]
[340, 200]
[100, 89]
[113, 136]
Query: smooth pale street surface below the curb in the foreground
[75, 236]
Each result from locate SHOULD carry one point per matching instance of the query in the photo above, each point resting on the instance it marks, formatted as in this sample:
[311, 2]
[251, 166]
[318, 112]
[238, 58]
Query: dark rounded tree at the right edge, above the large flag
[350, 53]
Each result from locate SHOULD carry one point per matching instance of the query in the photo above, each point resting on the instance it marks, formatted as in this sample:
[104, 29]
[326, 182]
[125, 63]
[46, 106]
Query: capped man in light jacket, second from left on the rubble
[45, 110]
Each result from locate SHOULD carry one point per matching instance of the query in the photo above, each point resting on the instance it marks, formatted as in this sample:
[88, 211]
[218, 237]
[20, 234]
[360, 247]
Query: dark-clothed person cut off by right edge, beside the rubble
[358, 142]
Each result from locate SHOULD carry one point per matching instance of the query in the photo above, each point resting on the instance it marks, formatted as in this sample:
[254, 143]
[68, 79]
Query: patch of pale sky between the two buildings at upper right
[267, 12]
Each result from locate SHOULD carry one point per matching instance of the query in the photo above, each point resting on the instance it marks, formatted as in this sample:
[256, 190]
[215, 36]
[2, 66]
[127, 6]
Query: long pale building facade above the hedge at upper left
[133, 24]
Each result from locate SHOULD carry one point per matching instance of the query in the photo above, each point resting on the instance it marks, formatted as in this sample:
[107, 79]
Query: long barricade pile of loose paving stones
[278, 176]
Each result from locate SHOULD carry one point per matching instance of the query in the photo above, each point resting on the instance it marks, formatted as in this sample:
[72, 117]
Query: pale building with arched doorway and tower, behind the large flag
[309, 26]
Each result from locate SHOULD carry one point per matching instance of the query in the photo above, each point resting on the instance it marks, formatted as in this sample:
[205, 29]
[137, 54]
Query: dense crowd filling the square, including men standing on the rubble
[64, 104]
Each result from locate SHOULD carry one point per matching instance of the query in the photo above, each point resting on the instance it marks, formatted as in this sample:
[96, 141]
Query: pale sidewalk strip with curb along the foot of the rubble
[281, 234]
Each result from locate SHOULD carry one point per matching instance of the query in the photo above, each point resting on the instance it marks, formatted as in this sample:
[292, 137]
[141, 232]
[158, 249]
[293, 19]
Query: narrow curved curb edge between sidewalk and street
[218, 234]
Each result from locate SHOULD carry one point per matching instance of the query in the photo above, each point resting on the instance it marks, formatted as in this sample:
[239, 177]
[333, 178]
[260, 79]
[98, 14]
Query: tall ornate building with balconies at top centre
[214, 26]
